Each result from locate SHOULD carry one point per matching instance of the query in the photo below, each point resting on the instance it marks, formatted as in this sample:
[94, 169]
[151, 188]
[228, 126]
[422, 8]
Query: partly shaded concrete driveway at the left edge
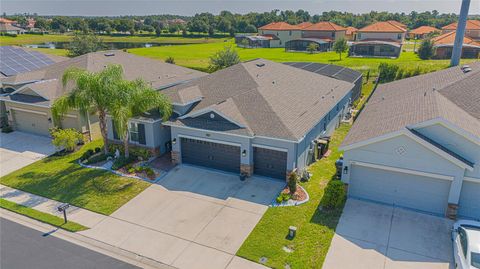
[19, 149]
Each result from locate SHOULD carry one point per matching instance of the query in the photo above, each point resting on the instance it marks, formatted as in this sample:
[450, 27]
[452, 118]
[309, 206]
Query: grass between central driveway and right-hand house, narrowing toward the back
[315, 227]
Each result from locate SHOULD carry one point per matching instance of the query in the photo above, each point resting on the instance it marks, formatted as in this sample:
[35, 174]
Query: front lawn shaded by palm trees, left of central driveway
[61, 178]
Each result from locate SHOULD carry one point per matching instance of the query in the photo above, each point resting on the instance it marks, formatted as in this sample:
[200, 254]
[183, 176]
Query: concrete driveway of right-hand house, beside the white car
[375, 236]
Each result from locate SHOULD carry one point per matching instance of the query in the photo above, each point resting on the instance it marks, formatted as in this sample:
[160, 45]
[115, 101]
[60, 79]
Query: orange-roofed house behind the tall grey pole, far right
[443, 45]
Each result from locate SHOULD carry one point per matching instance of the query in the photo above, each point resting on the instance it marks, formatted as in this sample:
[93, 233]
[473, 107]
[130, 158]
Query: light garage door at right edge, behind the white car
[469, 205]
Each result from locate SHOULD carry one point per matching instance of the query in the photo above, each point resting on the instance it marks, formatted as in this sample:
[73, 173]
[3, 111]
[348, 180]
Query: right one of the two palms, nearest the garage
[132, 99]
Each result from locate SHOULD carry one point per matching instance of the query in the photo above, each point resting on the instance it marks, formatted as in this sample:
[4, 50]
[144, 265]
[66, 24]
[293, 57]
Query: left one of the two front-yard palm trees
[91, 93]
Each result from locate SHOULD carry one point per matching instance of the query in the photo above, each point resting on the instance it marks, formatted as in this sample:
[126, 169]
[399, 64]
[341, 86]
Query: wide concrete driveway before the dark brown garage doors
[193, 218]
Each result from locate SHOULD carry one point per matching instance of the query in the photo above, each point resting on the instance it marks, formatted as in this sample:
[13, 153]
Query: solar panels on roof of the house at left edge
[17, 60]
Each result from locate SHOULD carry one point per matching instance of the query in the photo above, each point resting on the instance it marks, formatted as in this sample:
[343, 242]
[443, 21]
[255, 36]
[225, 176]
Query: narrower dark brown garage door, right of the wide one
[269, 163]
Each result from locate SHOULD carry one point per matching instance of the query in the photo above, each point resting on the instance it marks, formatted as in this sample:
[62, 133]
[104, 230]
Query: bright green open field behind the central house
[197, 56]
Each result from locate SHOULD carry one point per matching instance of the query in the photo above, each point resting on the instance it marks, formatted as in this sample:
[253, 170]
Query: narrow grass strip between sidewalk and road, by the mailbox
[41, 216]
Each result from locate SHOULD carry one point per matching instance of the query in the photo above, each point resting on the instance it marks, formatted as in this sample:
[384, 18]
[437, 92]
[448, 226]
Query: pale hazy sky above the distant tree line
[190, 7]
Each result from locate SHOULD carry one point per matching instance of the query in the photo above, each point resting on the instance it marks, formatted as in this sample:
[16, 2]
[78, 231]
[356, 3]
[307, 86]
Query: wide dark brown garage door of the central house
[209, 154]
